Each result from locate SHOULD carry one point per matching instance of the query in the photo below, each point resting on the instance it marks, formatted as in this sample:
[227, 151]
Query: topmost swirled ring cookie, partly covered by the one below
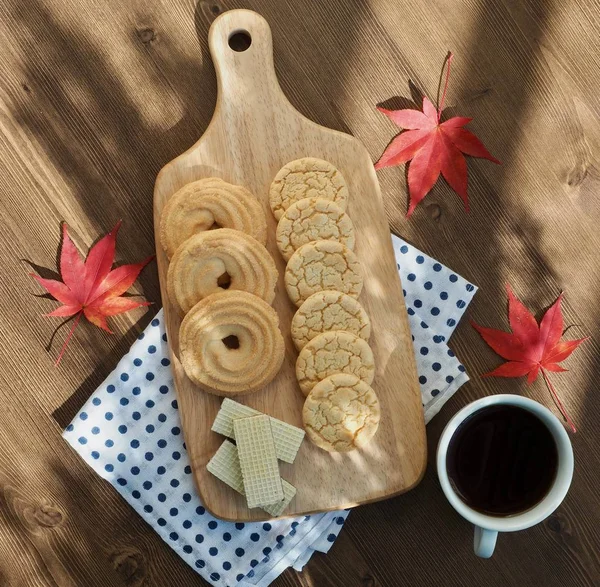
[210, 203]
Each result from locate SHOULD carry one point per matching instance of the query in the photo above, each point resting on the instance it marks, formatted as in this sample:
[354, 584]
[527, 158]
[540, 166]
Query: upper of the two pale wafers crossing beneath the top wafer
[287, 438]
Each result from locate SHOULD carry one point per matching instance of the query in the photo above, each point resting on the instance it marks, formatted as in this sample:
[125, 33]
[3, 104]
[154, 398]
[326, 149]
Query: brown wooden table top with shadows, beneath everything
[96, 96]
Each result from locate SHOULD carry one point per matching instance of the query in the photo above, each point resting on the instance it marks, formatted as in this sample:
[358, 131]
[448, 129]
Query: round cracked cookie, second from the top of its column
[312, 219]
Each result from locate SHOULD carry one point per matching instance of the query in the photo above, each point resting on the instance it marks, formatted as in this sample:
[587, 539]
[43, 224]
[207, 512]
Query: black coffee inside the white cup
[502, 460]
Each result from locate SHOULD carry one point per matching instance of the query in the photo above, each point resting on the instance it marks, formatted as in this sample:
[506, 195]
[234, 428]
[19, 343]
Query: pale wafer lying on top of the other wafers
[258, 460]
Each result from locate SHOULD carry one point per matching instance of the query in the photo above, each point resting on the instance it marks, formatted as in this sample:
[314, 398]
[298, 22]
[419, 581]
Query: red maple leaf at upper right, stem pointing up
[432, 147]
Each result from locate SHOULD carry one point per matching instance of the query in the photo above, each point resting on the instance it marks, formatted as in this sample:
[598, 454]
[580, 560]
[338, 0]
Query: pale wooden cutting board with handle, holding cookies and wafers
[253, 133]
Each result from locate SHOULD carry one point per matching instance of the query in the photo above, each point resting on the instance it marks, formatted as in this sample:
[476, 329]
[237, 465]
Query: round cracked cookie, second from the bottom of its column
[334, 352]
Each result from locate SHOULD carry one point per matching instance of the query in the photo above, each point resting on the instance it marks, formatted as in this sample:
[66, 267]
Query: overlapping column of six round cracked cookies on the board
[335, 365]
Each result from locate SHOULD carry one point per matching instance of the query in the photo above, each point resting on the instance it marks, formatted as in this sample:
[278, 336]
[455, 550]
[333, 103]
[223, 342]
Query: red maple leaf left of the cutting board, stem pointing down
[91, 288]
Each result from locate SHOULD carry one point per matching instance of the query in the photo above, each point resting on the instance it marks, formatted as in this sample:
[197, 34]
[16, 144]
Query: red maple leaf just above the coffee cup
[531, 349]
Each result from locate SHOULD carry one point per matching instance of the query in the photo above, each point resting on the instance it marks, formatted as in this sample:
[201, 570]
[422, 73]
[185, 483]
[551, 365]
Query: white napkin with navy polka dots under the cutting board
[129, 432]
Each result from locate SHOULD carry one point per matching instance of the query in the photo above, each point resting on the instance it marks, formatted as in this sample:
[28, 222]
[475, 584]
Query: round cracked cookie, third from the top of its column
[320, 266]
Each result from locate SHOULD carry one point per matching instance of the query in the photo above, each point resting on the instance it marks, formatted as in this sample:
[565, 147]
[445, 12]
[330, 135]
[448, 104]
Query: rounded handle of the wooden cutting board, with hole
[241, 47]
